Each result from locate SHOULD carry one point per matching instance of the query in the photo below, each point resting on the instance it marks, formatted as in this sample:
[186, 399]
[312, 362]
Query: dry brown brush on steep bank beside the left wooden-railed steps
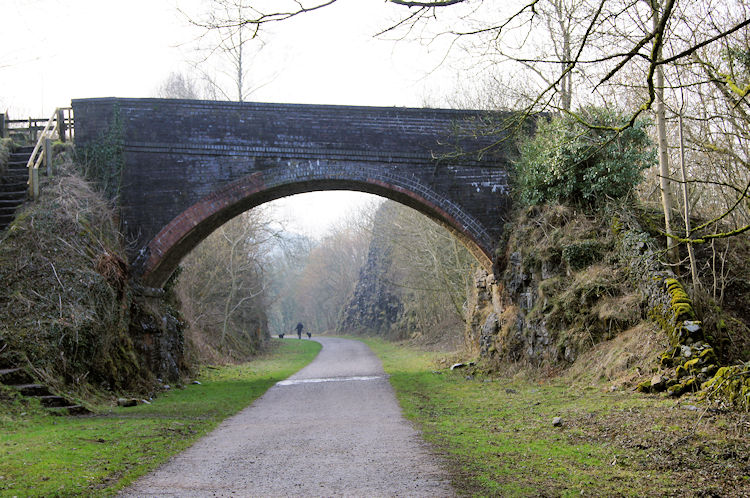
[64, 308]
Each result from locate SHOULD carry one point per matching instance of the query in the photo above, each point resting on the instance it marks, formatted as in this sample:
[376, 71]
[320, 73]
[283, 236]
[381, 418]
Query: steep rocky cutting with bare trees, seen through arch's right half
[414, 282]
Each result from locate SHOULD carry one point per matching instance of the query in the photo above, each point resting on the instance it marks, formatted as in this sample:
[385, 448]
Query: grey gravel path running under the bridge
[332, 429]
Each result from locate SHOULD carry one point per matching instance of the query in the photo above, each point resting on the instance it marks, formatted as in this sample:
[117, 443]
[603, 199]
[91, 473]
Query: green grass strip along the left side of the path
[98, 455]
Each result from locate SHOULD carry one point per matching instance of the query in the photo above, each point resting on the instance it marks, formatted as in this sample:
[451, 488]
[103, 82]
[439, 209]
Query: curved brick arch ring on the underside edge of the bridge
[159, 258]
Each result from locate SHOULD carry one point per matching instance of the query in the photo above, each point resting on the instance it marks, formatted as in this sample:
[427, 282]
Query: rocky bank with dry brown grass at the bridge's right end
[563, 280]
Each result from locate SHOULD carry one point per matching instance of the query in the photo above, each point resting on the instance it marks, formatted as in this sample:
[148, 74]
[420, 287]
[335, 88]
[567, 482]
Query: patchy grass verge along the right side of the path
[497, 436]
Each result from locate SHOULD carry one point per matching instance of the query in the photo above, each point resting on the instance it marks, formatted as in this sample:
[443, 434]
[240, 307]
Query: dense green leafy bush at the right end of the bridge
[569, 162]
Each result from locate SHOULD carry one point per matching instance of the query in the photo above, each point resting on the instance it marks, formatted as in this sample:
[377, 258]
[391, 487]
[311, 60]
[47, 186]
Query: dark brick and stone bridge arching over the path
[189, 166]
